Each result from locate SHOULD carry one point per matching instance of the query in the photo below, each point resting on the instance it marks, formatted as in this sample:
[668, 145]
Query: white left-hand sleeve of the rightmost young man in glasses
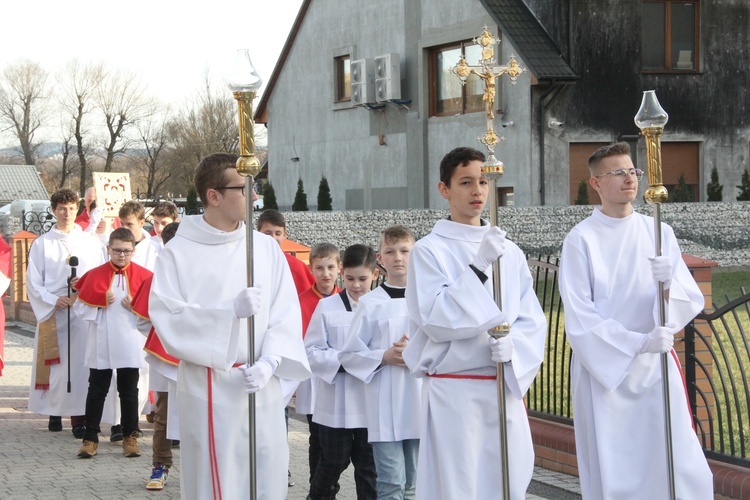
[603, 346]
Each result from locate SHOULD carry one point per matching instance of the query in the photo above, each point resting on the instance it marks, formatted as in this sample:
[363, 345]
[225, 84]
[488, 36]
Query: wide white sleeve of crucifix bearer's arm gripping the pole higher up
[447, 309]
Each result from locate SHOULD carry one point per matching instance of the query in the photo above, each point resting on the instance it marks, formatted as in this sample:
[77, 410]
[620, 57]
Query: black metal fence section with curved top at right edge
[717, 357]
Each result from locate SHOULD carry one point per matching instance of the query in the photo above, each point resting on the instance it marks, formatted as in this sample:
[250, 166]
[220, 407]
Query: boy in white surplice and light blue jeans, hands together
[373, 354]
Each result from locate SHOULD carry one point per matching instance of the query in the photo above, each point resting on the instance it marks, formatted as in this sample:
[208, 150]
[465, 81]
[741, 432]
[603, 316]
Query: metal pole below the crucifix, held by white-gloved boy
[492, 172]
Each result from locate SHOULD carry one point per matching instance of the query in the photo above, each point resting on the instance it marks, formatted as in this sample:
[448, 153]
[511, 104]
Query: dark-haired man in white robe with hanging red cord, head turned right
[199, 304]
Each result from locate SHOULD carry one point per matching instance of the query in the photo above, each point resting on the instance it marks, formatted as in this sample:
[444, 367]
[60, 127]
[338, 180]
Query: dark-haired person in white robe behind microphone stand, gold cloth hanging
[47, 287]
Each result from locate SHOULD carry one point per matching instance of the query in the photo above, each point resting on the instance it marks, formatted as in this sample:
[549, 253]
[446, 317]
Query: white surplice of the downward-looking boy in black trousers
[339, 397]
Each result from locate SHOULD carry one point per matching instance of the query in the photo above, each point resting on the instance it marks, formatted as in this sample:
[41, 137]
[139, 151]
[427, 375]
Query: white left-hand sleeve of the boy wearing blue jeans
[357, 356]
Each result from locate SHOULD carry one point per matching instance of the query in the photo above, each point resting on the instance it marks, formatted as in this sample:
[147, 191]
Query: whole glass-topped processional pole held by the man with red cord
[244, 84]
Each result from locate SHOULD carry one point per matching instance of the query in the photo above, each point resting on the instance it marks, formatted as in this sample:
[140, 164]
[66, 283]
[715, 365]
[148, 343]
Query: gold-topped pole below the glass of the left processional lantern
[249, 166]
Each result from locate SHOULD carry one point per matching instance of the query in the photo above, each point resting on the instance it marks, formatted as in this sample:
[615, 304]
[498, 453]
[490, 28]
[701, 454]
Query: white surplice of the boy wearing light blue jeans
[391, 393]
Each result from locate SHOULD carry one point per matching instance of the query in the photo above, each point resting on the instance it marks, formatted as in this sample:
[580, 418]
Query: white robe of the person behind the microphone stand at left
[46, 280]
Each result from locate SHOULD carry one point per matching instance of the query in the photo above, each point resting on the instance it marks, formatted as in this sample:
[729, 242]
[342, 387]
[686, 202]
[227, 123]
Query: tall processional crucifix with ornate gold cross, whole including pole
[493, 169]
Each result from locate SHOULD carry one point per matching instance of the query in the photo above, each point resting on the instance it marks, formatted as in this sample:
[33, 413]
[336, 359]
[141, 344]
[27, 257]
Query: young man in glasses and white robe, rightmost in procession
[608, 283]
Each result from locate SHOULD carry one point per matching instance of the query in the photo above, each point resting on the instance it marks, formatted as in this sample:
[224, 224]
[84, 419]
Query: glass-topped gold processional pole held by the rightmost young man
[651, 119]
